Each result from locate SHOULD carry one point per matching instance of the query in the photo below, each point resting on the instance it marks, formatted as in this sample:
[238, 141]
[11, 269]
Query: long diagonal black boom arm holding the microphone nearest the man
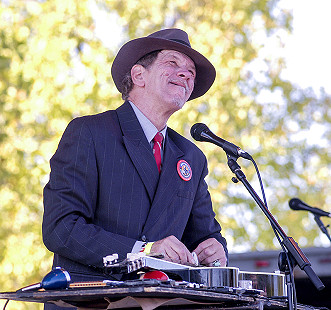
[292, 247]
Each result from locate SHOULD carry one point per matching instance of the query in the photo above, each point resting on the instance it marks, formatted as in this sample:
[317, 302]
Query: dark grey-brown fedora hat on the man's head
[169, 39]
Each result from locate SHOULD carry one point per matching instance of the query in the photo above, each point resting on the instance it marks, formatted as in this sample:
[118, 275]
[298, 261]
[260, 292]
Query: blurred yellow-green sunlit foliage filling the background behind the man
[55, 61]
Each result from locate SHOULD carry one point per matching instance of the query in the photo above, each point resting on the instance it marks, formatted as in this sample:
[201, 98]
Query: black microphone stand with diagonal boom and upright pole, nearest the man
[294, 253]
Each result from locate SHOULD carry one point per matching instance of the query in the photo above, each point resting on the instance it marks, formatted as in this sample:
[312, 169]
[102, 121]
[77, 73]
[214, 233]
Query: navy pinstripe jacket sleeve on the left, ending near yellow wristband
[70, 199]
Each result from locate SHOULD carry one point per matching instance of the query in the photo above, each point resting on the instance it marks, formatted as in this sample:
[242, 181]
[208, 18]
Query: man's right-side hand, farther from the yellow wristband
[210, 251]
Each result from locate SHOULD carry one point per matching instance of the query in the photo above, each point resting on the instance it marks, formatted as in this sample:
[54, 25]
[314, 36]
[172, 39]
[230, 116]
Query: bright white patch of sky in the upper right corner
[308, 50]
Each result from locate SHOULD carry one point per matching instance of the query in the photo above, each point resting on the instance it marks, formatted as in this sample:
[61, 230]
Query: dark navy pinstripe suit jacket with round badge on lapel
[105, 192]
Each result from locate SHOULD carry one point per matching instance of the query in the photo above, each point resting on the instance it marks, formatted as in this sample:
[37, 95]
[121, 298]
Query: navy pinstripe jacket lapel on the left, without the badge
[138, 148]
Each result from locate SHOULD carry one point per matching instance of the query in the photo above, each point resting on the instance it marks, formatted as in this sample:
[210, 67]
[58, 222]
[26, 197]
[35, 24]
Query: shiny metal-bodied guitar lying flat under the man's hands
[268, 284]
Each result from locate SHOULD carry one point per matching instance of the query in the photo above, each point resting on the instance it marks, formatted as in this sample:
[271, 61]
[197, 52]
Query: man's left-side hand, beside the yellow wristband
[173, 250]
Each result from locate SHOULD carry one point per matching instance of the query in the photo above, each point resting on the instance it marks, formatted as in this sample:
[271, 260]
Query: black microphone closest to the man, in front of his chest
[201, 132]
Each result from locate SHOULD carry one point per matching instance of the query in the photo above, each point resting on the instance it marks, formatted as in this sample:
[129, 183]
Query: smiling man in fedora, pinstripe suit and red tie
[109, 194]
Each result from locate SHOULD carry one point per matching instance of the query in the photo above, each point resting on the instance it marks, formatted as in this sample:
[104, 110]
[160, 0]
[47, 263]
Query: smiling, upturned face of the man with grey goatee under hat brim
[169, 81]
